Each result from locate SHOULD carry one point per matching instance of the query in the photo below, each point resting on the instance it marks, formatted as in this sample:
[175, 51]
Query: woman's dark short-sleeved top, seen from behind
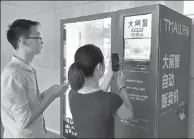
[93, 113]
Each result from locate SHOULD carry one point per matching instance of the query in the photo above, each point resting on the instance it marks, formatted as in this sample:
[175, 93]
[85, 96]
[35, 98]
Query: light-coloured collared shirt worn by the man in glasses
[19, 97]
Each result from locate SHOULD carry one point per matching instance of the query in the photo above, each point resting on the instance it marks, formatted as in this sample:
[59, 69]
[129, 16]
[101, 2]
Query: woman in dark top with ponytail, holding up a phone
[91, 107]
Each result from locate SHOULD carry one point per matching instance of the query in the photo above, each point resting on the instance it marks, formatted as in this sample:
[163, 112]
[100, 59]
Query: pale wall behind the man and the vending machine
[49, 13]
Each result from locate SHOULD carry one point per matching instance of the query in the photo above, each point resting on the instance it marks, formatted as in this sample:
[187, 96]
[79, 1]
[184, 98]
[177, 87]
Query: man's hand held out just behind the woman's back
[57, 90]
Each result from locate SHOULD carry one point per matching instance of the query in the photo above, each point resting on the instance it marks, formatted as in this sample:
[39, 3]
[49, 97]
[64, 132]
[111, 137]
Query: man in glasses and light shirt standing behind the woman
[22, 105]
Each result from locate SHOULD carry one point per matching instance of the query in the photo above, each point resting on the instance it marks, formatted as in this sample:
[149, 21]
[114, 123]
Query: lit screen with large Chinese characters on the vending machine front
[137, 37]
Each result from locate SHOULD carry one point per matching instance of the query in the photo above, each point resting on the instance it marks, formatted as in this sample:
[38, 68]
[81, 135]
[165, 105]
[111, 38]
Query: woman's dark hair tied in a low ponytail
[86, 59]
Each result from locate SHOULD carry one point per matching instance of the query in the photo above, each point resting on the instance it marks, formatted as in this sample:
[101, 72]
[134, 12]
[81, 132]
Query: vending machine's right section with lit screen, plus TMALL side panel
[156, 62]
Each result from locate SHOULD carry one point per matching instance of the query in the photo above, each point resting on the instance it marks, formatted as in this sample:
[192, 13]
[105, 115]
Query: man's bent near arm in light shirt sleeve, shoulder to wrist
[16, 101]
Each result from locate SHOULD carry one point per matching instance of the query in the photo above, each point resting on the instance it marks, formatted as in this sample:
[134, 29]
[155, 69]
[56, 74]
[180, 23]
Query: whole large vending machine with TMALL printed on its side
[154, 43]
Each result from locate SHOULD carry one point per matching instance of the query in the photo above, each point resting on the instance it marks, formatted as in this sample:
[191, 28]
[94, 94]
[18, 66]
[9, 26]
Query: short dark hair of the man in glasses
[20, 27]
